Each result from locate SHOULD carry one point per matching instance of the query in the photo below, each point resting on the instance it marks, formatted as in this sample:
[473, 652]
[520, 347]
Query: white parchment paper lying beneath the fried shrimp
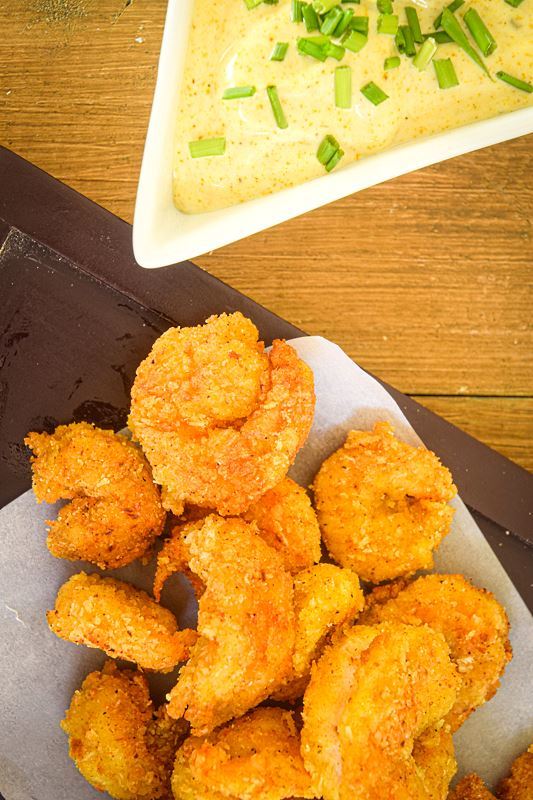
[39, 672]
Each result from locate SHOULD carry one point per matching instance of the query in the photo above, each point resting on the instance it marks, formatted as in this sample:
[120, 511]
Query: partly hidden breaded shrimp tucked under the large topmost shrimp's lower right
[287, 522]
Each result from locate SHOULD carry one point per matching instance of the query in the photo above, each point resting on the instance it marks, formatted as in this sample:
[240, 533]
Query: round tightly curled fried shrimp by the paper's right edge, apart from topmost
[382, 505]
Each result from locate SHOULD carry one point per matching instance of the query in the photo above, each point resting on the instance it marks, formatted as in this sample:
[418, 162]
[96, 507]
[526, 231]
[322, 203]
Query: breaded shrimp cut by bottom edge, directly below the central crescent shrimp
[256, 757]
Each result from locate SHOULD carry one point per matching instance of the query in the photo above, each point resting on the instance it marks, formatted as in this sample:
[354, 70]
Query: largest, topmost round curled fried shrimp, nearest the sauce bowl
[219, 420]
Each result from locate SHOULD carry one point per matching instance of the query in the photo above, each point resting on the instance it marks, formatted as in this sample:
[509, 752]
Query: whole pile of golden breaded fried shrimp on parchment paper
[323, 664]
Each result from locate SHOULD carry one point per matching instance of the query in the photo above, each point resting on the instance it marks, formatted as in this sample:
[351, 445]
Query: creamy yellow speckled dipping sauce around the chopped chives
[231, 46]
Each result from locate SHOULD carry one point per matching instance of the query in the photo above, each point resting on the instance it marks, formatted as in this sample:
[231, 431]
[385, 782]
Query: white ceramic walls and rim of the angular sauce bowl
[163, 235]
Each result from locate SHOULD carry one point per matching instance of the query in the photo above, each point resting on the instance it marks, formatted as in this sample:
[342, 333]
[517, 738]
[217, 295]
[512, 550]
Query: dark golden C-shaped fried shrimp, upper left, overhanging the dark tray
[115, 514]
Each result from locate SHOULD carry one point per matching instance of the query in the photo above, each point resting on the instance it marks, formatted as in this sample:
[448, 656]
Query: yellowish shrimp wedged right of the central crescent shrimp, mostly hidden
[326, 597]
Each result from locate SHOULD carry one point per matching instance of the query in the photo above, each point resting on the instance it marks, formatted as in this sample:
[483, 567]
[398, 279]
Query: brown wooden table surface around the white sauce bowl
[427, 280]
